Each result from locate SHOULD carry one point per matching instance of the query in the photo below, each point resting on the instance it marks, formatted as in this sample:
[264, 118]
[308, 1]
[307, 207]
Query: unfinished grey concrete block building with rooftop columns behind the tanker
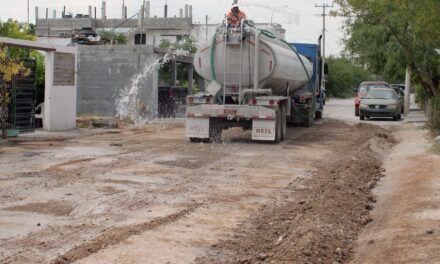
[106, 71]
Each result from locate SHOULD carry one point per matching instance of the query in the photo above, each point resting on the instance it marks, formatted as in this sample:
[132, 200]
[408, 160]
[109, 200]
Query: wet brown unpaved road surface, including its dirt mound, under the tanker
[148, 195]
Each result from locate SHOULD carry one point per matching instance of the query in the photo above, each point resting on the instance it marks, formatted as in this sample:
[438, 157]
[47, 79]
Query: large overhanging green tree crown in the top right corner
[388, 35]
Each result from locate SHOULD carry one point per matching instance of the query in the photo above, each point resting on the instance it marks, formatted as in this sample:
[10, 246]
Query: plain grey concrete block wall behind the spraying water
[104, 72]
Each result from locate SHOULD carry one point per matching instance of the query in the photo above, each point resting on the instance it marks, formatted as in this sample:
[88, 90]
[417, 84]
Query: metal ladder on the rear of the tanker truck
[232, 71]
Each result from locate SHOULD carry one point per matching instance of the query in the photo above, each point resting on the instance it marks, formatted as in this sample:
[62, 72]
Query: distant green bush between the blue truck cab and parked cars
[344, 76]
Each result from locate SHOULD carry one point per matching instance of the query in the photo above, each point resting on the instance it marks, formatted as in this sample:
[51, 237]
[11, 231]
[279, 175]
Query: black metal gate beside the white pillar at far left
[22, 92]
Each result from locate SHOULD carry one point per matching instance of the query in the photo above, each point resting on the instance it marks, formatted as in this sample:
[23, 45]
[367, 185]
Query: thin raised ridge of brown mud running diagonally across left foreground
[114, 235]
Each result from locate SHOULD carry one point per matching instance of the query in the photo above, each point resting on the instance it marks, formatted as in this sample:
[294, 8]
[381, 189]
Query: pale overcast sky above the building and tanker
[300, 18]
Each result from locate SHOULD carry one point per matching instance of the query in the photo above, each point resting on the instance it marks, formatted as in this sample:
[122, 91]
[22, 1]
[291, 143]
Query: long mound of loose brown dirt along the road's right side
[320, 221]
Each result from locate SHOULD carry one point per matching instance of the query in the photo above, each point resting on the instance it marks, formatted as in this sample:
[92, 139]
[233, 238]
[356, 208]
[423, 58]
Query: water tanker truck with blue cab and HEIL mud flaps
[257, 82]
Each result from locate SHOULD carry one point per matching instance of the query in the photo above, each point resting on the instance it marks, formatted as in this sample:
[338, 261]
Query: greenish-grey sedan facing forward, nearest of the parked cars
[381, 102]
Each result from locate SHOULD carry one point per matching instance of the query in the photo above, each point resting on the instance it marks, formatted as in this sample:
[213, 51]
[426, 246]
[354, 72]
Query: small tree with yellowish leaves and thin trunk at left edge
[8, 69]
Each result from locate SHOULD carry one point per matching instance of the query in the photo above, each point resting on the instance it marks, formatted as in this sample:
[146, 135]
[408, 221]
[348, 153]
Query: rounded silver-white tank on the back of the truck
[280, 67]
